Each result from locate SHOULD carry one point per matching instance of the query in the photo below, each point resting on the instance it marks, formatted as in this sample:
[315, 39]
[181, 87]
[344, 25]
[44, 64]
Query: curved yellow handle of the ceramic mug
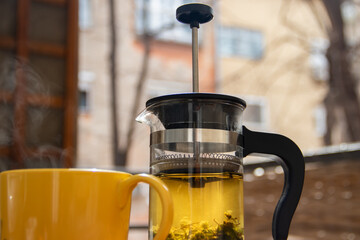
[127, 186]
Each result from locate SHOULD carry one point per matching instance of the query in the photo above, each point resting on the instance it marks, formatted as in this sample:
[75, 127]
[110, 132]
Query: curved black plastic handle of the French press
[294, 171]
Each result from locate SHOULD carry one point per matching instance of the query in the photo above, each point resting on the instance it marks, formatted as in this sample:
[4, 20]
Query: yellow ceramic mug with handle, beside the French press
[72, 204]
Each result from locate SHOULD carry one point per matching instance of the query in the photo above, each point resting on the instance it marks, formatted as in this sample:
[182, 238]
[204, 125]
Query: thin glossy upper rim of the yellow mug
[57, 170]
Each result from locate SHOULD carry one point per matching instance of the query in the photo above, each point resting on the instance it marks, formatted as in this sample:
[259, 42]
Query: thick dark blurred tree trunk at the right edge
[342, 100]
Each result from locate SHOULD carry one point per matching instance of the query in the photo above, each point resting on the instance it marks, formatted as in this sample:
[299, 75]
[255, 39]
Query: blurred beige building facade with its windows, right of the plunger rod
[272, 54]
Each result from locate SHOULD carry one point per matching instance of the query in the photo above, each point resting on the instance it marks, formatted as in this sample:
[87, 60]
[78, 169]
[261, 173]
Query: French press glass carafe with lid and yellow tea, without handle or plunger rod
[196, 148]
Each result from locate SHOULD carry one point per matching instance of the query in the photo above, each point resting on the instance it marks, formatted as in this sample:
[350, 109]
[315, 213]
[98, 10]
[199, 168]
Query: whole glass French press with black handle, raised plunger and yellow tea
[197, 144]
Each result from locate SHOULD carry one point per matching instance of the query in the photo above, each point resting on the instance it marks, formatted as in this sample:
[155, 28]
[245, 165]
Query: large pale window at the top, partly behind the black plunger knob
[158, 16]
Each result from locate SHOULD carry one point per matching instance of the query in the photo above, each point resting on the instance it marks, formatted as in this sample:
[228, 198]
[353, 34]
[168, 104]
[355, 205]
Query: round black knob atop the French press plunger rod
[194, 14]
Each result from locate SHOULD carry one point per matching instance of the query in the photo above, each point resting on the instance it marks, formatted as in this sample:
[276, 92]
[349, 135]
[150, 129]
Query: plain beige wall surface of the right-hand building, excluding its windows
[282, 75]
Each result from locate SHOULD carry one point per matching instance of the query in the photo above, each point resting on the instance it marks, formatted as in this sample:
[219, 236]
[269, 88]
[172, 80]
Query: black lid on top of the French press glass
[197, 110]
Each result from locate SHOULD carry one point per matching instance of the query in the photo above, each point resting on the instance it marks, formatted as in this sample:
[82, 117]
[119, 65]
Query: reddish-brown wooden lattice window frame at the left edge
[23, 47]
